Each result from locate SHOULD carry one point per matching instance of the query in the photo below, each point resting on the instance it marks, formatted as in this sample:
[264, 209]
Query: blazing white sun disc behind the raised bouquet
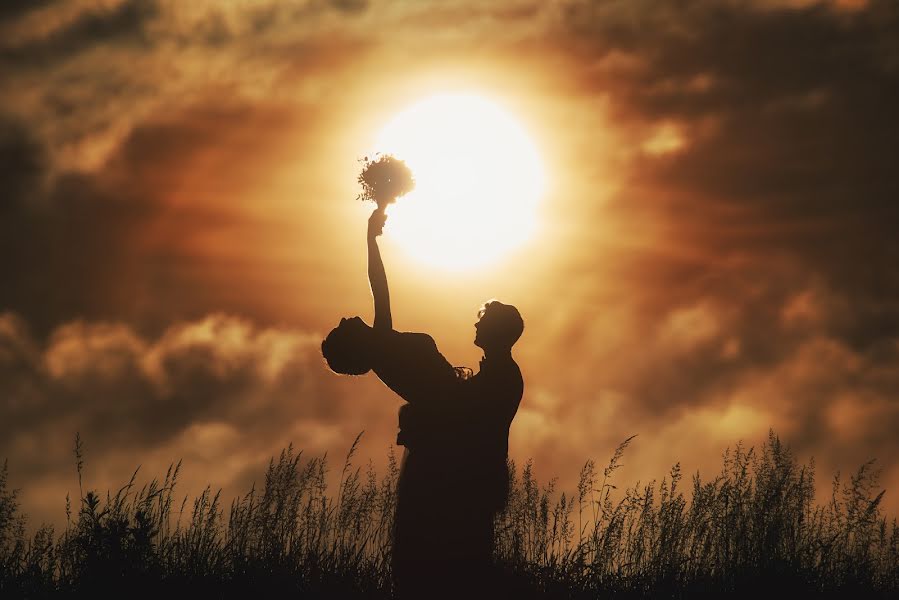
[478, 181]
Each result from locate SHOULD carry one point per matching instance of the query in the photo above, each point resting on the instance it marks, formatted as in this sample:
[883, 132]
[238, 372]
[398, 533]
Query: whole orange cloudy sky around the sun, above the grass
[716, 251]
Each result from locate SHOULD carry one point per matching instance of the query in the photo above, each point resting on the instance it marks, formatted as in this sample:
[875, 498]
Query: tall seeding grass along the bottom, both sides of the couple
[753, 528]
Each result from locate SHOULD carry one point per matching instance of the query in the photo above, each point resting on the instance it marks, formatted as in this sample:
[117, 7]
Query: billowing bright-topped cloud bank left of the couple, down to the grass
[212, 391]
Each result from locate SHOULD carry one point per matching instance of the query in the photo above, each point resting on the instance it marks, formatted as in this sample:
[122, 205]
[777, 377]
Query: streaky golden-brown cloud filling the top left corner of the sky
[85, 74]
